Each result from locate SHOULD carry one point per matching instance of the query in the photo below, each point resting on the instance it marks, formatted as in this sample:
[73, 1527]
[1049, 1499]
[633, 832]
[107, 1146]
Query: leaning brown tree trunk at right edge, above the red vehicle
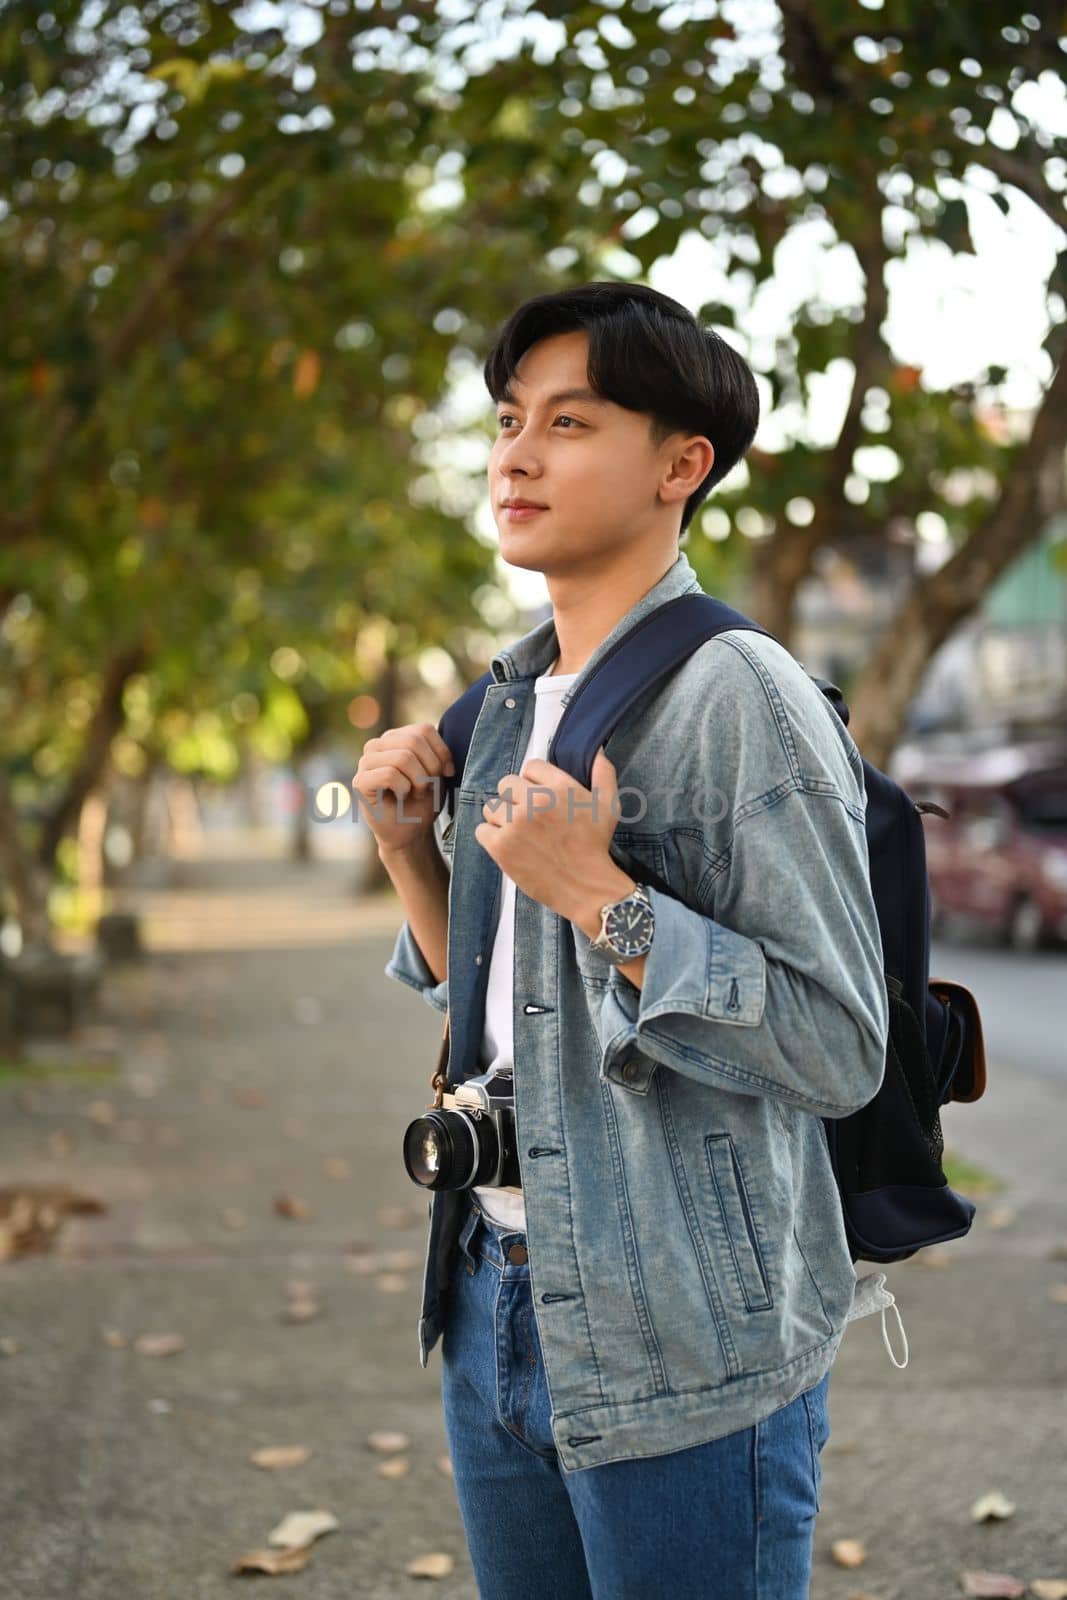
[937, 606]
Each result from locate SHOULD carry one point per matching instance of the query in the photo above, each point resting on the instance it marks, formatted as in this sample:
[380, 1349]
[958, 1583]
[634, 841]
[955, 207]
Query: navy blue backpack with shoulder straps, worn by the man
[889, 1156]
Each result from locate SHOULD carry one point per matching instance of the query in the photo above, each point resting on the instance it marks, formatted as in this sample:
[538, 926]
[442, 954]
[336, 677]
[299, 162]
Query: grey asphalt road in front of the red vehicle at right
[1021, 999]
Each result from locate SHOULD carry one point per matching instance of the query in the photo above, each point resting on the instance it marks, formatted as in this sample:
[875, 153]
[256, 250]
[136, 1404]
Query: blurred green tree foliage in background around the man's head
[247, 250]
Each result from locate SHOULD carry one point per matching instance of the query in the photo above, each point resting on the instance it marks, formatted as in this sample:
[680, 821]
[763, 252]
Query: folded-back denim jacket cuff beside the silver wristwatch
[695, 969]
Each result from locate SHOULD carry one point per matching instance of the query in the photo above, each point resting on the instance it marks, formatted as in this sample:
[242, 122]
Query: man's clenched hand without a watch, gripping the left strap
[394, 785]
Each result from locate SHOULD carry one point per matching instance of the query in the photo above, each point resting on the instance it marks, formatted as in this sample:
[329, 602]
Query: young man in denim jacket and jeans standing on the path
[637, 1340]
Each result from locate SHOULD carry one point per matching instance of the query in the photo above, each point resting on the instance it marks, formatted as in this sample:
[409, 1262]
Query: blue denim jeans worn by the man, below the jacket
[727, 1521]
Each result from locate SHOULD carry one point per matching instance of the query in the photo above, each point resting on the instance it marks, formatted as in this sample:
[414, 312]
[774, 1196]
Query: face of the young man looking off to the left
[588, 462]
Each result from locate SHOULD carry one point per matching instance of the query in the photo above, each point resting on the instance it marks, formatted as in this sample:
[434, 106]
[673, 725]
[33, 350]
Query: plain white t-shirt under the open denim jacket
[498, 1041]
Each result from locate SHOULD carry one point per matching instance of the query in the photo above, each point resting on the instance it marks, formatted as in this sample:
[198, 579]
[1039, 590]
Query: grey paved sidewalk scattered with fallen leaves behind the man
[263, 1054]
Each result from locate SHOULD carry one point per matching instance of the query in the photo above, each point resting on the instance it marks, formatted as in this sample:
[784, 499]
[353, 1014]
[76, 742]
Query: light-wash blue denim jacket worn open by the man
[689, 1260]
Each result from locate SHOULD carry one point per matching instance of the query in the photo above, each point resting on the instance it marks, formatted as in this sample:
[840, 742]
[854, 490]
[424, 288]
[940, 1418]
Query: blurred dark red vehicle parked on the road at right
[1001, 855]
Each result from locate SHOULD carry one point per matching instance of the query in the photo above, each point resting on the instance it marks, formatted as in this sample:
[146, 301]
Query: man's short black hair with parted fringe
[647, 353]
